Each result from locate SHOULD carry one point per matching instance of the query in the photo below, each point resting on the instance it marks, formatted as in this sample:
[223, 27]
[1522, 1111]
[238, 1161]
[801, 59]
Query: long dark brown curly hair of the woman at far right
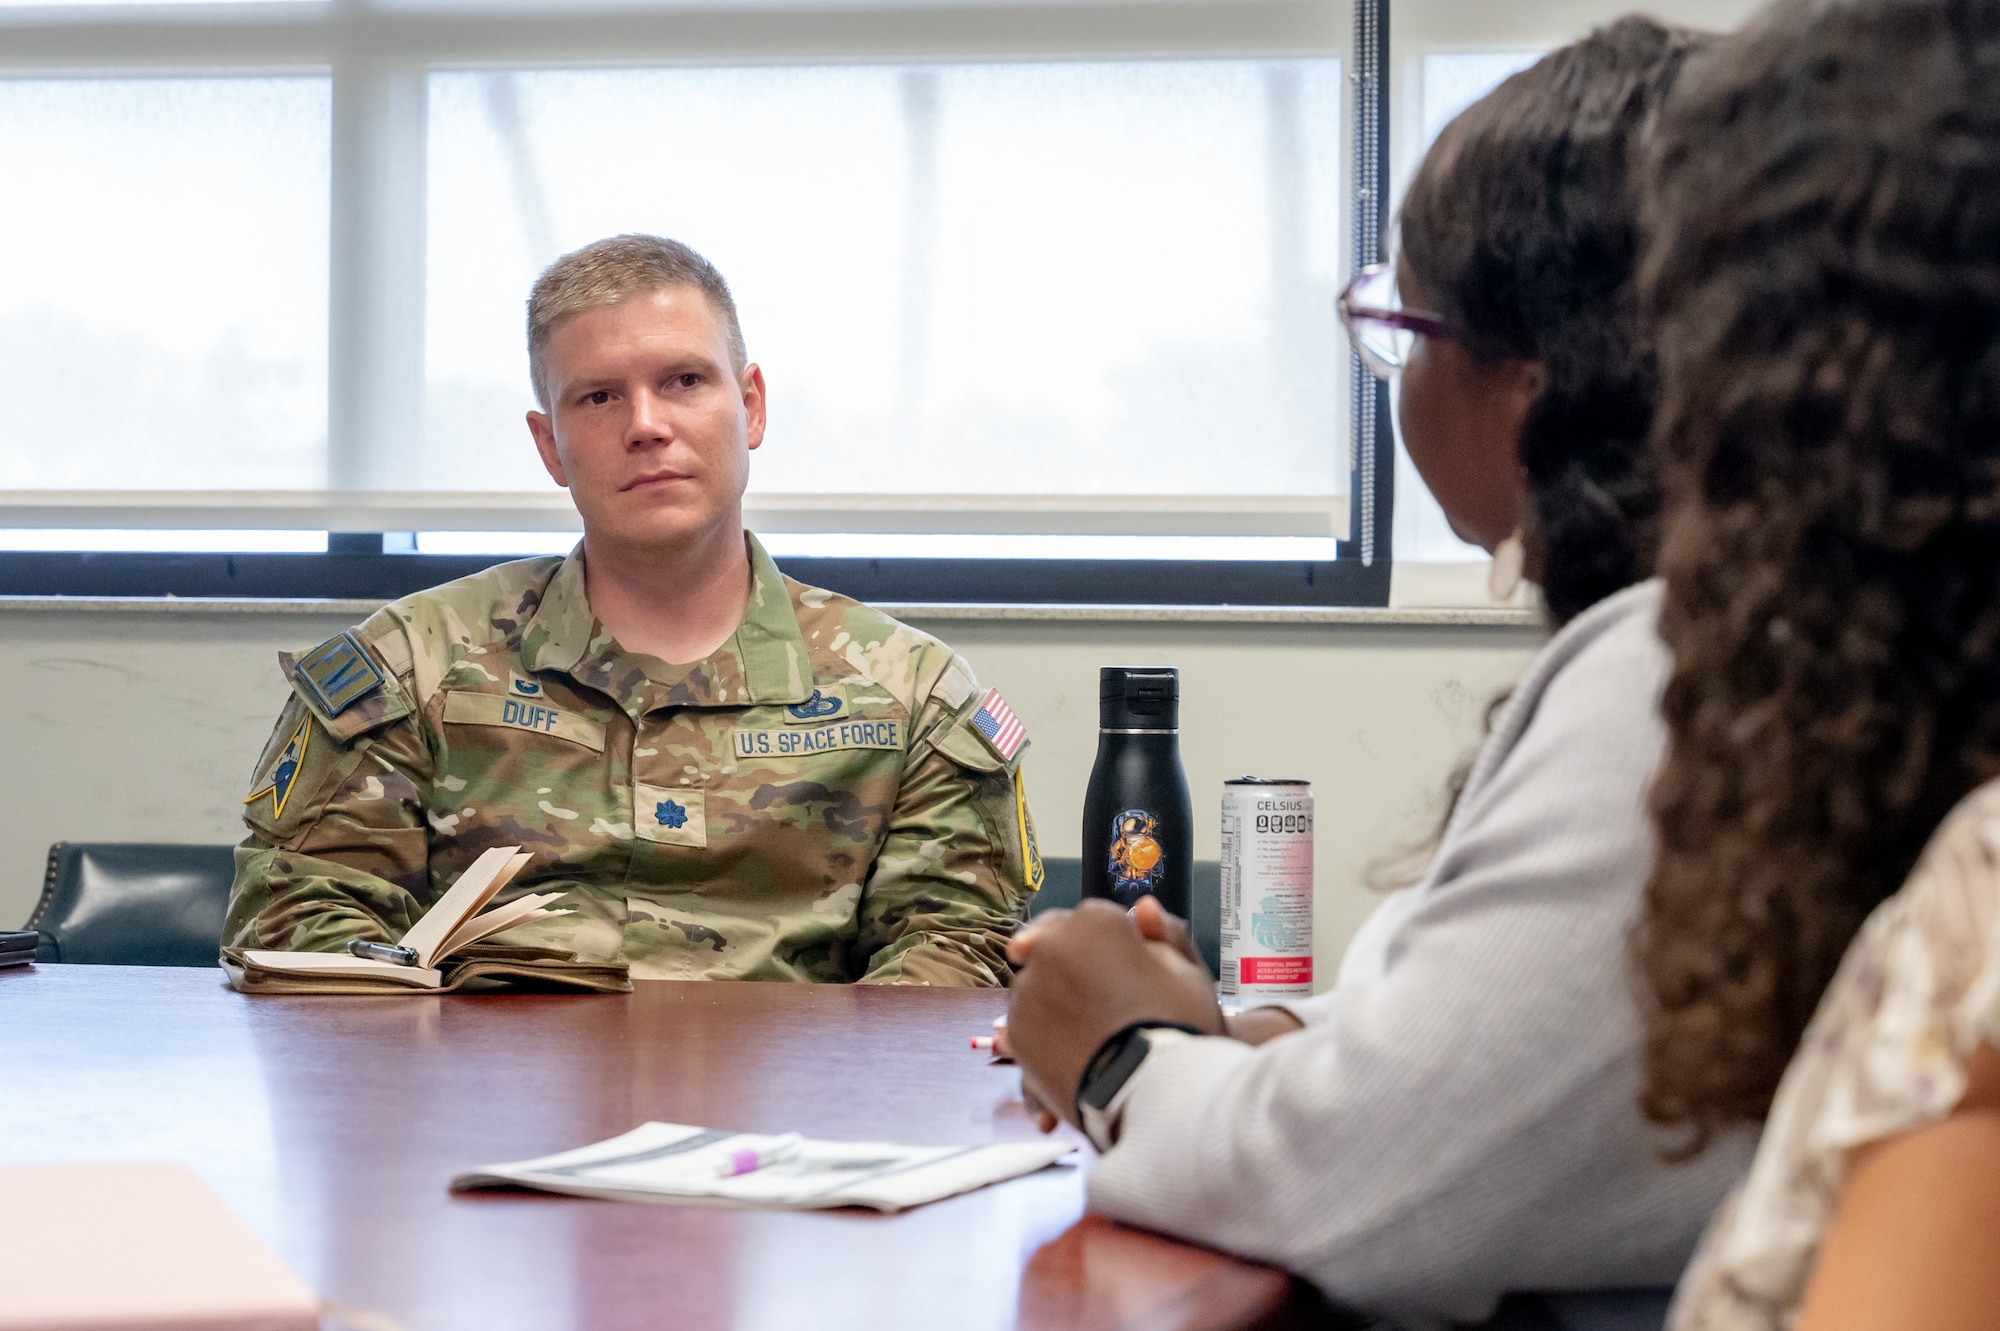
[1825, 271]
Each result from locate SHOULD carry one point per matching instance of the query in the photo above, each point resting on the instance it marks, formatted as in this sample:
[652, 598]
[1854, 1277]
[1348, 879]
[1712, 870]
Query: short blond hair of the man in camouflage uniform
[619, 269]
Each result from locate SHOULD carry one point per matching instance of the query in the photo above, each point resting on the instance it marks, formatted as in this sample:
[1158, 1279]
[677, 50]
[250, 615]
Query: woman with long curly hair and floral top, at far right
[1825, 273]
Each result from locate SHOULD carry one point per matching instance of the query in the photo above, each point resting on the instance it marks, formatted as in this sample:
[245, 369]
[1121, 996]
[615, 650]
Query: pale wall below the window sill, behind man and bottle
[143, 726]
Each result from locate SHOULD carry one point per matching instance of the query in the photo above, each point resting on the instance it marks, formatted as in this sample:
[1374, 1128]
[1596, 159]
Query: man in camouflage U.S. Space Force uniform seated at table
[825, 794]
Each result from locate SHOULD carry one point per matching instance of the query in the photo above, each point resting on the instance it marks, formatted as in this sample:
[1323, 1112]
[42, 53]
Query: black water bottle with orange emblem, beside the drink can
[1139, 828]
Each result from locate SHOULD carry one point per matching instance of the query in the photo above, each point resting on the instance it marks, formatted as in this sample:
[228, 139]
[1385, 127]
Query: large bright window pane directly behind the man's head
[1087, 279]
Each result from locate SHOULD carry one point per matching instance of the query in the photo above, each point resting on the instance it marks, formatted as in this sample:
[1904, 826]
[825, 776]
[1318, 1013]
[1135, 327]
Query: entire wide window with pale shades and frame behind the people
[1041, 281]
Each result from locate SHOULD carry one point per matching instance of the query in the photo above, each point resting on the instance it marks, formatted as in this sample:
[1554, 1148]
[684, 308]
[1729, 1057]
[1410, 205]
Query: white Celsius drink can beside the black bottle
[1267, 890]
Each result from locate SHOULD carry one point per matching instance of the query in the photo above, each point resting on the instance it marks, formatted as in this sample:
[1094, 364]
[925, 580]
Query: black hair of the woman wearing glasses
[1523, 229]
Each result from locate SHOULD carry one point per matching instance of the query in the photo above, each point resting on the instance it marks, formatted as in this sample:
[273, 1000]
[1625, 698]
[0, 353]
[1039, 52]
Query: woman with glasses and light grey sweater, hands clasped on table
[1457, 1118]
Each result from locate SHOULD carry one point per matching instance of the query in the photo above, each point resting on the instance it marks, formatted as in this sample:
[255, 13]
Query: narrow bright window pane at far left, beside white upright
[163, 317]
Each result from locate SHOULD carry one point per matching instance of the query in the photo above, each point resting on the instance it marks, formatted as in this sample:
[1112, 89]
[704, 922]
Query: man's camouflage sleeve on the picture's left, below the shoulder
[339, 836]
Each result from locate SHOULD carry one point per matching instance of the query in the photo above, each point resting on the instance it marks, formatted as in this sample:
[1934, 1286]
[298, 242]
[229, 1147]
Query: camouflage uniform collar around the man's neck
[763, 663]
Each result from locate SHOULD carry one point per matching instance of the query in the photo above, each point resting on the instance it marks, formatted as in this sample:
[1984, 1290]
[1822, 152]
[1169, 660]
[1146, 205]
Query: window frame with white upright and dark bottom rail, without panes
[379, 61]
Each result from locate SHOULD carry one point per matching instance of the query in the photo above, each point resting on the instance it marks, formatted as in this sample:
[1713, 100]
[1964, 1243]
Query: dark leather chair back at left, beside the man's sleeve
[133, 904]
